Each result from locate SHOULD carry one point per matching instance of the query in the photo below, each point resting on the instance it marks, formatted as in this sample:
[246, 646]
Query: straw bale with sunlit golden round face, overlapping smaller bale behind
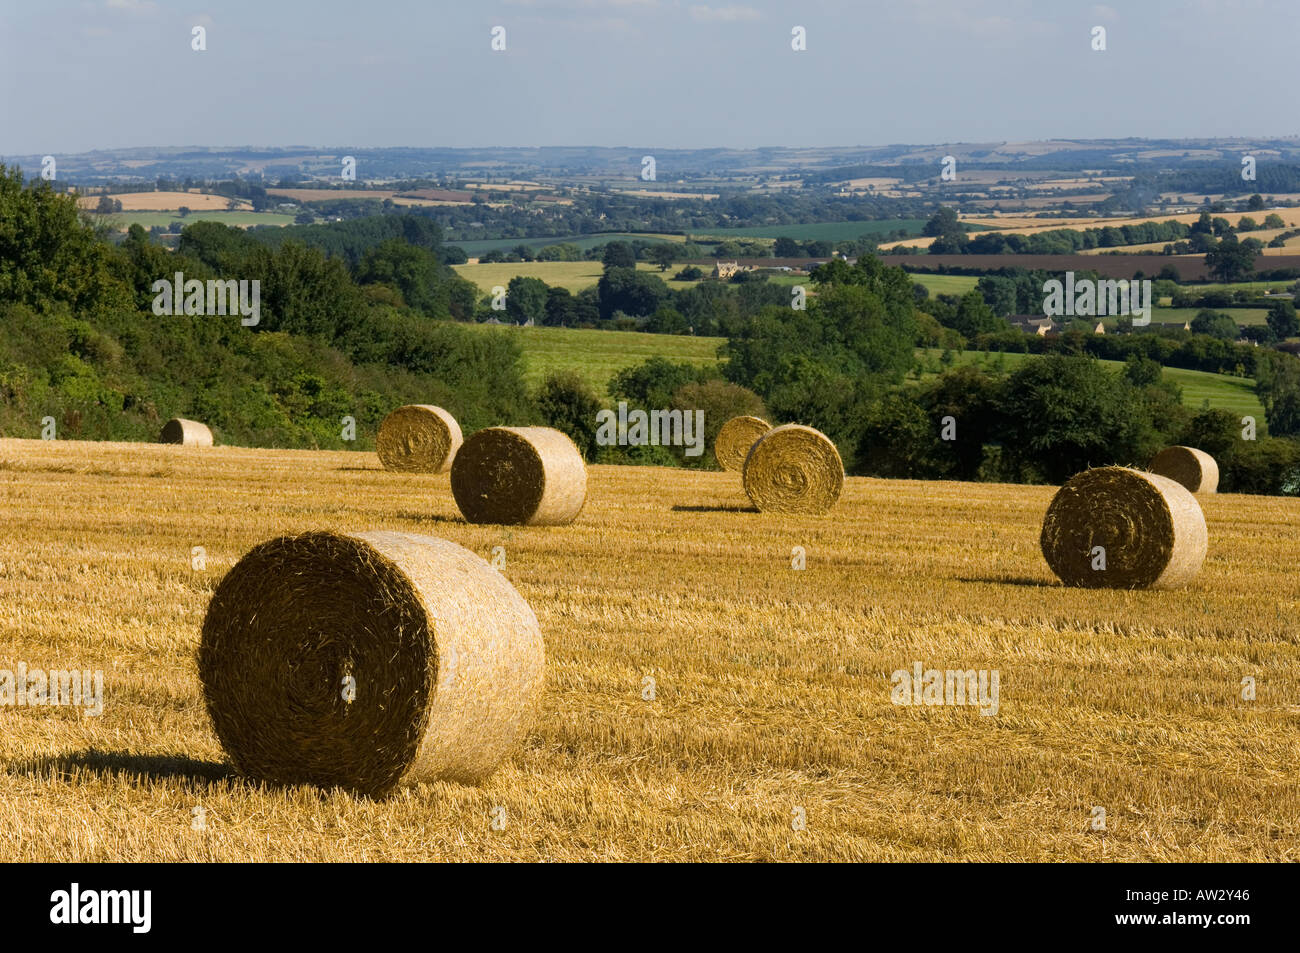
[794, 470]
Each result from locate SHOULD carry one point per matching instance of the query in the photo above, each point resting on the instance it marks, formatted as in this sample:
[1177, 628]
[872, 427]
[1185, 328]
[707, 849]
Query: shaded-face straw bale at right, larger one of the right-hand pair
[1121, 529]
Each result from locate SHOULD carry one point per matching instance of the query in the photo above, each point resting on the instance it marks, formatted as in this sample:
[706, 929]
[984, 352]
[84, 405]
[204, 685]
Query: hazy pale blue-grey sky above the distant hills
[99, 75]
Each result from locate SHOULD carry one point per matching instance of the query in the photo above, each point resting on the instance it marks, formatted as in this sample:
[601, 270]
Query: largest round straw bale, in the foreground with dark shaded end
[369, 661]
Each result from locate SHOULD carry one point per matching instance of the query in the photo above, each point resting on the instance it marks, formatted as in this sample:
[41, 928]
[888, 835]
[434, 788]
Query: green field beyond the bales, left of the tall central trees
[599, 356]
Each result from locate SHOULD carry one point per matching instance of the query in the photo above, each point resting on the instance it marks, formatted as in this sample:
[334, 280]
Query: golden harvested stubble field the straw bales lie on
[773, 687]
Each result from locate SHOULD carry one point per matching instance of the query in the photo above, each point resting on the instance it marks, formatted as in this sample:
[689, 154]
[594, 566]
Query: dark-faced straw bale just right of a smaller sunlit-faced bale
[530, 475]
